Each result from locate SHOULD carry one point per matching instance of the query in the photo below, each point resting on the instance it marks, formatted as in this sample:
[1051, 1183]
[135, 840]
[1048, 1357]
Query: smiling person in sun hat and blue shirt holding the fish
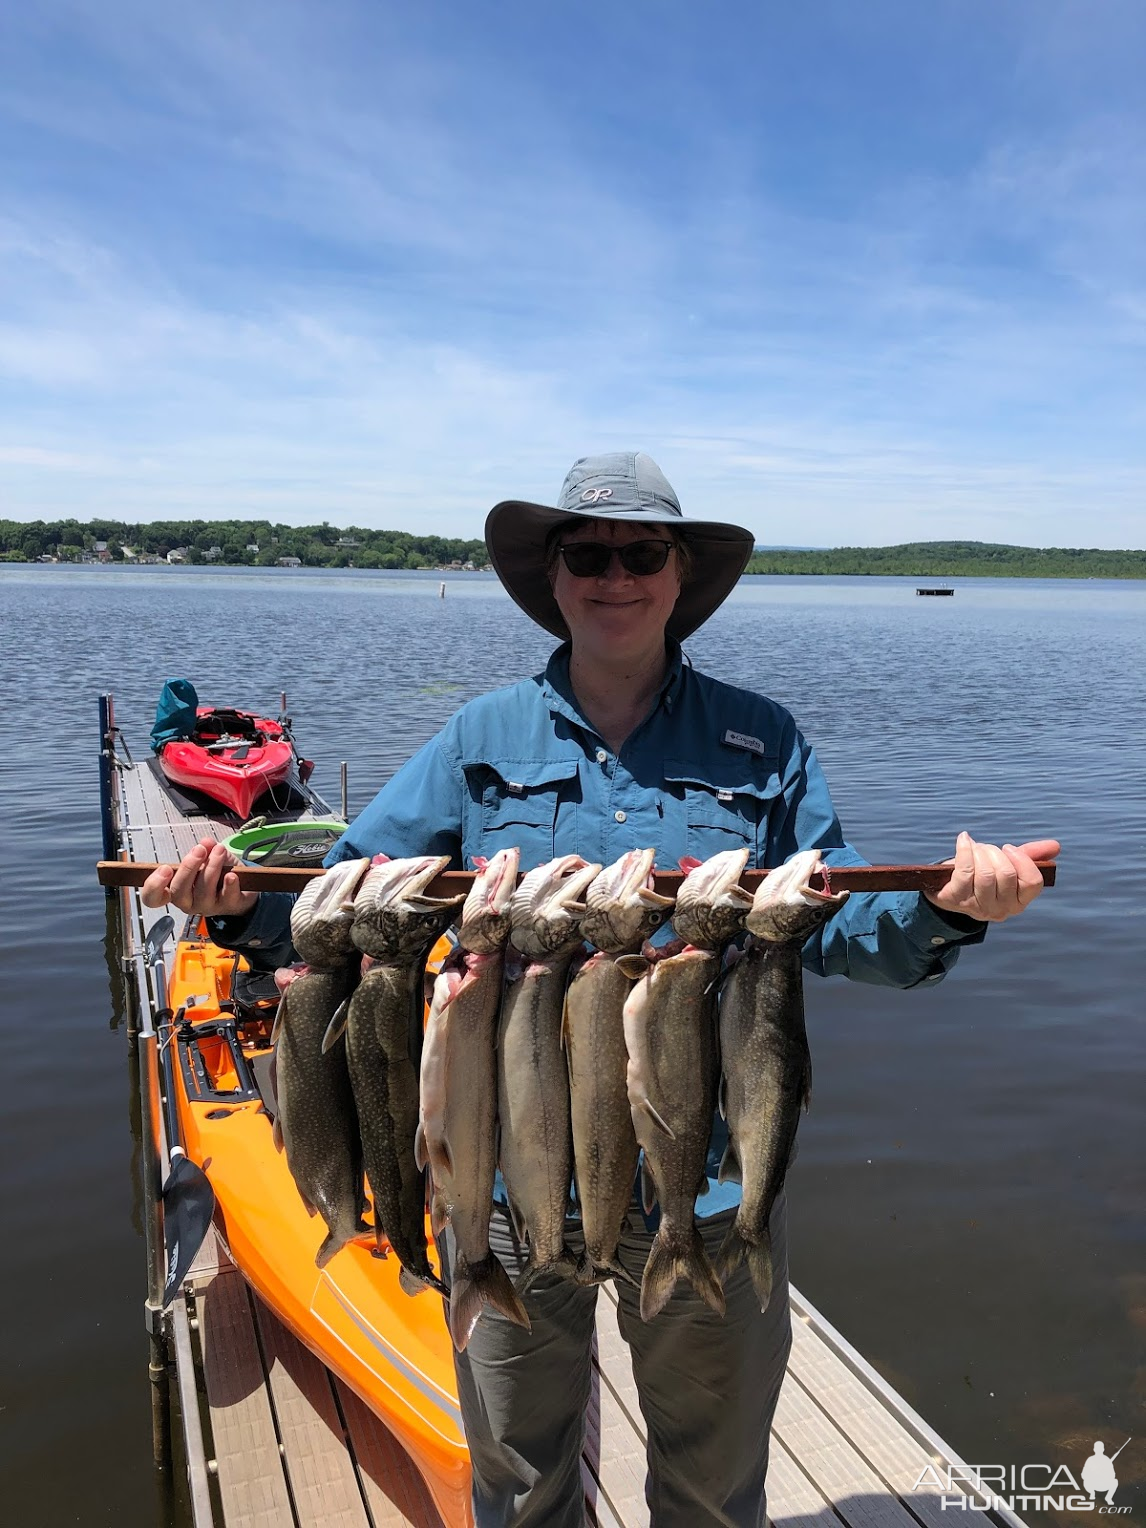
[620, 745]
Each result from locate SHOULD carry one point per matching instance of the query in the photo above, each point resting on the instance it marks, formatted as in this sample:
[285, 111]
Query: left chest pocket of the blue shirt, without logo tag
[519, 806]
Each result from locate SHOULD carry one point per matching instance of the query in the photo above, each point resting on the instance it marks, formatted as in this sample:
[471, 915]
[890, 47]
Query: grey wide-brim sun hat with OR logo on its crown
[621, 485]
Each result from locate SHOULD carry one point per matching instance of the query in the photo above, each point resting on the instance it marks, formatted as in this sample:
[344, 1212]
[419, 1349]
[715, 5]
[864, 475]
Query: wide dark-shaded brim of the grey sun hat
[516, 540]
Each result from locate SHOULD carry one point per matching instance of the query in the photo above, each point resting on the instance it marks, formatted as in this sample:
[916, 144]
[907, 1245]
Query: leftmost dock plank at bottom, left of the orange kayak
[251, 1480]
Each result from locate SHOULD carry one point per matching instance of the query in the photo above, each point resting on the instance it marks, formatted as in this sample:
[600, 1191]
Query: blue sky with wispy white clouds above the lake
[853, 274]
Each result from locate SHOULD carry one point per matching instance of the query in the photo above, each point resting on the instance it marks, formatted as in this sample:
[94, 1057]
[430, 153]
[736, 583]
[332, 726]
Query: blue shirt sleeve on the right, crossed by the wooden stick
[892, 939]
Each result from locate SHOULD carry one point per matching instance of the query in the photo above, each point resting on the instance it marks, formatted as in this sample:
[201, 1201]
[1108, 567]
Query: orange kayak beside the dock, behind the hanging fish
[392, 1348]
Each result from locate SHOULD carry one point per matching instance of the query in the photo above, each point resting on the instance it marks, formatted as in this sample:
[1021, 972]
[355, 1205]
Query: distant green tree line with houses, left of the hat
[250, 543]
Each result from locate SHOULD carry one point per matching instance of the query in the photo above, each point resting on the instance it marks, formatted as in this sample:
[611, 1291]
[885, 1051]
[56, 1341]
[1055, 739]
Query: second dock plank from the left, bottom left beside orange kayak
[319, 1468]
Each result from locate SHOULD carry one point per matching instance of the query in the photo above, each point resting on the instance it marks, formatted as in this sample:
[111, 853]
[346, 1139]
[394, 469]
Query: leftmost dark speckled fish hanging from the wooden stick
[317, 1122]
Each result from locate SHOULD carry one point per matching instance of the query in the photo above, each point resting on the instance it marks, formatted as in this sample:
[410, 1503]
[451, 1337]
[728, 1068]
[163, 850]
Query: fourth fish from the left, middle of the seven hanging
[534, 1109]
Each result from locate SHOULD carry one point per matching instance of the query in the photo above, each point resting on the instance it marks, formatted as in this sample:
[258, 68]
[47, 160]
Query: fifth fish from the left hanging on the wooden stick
[623, 911]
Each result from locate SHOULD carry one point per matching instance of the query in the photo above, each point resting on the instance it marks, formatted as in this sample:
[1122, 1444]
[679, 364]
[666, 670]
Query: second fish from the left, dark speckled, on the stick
[397, 925]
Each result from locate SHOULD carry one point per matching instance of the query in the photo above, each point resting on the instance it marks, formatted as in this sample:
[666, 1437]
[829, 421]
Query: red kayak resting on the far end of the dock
[233, 757]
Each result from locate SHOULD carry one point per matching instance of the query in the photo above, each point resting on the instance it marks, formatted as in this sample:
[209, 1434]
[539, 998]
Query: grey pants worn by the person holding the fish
[708, 1388]
